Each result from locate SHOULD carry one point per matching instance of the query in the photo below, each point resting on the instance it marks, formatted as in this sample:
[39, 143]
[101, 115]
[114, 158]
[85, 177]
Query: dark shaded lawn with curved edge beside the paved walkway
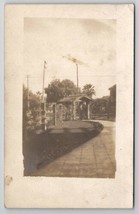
[42, 149]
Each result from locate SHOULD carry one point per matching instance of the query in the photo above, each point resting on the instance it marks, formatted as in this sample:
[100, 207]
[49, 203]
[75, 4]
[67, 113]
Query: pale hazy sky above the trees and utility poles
[93, 42]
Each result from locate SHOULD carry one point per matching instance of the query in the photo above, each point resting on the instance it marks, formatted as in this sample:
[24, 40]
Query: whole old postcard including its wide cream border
[69, 79]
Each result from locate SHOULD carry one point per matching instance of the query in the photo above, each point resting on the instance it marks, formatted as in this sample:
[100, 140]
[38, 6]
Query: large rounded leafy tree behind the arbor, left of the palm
[58, 89]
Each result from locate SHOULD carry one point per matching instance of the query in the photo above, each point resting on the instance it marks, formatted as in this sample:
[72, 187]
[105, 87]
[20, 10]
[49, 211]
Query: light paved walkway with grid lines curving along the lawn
[95, 158]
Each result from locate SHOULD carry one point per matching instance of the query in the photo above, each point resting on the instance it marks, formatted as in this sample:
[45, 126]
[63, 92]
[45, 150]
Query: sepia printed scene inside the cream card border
[69, 97]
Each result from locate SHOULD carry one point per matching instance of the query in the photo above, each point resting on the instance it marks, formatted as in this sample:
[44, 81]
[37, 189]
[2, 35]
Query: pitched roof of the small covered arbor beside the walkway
[75, 98]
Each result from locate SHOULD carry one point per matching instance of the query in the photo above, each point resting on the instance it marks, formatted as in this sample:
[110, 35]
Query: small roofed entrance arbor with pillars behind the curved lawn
[75, 107]
